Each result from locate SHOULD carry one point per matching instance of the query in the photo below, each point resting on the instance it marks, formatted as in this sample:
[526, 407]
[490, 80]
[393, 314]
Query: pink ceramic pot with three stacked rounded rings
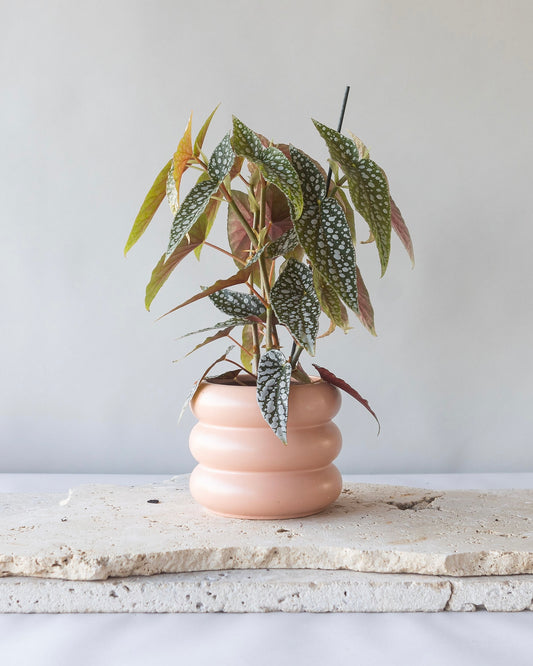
[245, 471]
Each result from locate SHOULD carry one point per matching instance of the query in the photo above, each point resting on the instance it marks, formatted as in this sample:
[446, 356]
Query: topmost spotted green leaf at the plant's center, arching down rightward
[272, 163]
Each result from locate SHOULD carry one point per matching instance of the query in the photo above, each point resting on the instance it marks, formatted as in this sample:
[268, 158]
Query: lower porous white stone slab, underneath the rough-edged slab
[251, 591]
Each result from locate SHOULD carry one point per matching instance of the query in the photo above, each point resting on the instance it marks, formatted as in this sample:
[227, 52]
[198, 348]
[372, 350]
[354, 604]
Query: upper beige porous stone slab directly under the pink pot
[102, 531]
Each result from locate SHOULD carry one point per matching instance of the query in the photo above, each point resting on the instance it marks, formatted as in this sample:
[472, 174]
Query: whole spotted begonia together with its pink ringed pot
[265, 441]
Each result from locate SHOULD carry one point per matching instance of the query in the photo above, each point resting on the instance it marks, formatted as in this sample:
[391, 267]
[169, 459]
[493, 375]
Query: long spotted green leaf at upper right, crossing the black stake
[368, 187]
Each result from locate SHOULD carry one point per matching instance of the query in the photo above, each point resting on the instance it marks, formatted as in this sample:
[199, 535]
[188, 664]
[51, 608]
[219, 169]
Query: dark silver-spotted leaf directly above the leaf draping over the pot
[296, 304]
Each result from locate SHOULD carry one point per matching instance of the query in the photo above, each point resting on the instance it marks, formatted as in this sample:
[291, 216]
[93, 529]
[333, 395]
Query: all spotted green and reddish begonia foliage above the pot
[293, 240]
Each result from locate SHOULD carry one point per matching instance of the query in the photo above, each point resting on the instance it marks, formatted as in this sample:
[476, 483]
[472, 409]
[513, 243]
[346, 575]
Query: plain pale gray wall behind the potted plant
[95, 96]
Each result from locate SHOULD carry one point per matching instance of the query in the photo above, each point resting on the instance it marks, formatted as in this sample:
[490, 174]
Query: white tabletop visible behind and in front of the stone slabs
[492, 639]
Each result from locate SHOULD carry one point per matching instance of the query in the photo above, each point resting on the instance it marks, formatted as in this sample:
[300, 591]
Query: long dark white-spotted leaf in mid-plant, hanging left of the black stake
[324, 232]
